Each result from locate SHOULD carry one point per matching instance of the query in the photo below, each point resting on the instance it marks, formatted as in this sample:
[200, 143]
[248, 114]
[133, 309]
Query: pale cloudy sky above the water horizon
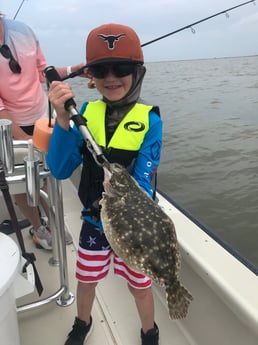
[63, 25]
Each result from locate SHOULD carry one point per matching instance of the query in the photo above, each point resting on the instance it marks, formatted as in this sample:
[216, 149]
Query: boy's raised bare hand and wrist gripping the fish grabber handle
[59, 92]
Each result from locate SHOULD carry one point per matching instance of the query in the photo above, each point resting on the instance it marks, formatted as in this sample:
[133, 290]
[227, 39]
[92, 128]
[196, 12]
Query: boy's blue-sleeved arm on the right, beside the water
[148, 158]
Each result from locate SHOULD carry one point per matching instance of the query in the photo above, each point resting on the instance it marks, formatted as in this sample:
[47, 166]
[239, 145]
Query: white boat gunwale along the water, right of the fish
[234, 283]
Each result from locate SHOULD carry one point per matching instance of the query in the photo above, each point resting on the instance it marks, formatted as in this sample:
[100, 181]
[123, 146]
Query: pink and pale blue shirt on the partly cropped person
[22, 94]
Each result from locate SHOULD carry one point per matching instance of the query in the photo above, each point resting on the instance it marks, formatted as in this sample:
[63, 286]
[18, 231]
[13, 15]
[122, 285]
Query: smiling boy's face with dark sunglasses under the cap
[110, 83]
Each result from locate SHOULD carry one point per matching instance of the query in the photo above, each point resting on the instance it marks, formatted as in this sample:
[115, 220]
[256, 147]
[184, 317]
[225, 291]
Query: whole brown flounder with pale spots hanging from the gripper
[143, 235]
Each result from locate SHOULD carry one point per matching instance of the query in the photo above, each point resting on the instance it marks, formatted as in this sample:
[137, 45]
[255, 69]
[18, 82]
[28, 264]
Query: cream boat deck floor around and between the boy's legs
[114, 314]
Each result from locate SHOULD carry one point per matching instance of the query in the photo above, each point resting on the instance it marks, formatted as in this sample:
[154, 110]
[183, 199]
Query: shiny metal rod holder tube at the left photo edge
[6, 145]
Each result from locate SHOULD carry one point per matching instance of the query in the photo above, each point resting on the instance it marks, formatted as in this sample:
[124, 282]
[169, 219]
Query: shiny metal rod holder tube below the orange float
[32, 178]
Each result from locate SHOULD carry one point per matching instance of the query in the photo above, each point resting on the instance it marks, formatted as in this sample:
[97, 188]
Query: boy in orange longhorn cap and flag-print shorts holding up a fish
[130, 133]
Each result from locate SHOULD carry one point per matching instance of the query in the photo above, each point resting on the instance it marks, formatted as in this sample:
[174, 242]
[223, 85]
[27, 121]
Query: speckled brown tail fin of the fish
[178, 300]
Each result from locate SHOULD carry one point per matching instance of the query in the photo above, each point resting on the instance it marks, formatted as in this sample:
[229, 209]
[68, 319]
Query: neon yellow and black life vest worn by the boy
[122, 148]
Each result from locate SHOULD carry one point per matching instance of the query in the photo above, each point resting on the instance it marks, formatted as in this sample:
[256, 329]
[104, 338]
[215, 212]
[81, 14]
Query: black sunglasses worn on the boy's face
[119, 70]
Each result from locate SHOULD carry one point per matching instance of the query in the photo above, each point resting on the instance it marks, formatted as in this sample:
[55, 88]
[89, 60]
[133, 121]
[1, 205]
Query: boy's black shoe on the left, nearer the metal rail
[79, 333]
